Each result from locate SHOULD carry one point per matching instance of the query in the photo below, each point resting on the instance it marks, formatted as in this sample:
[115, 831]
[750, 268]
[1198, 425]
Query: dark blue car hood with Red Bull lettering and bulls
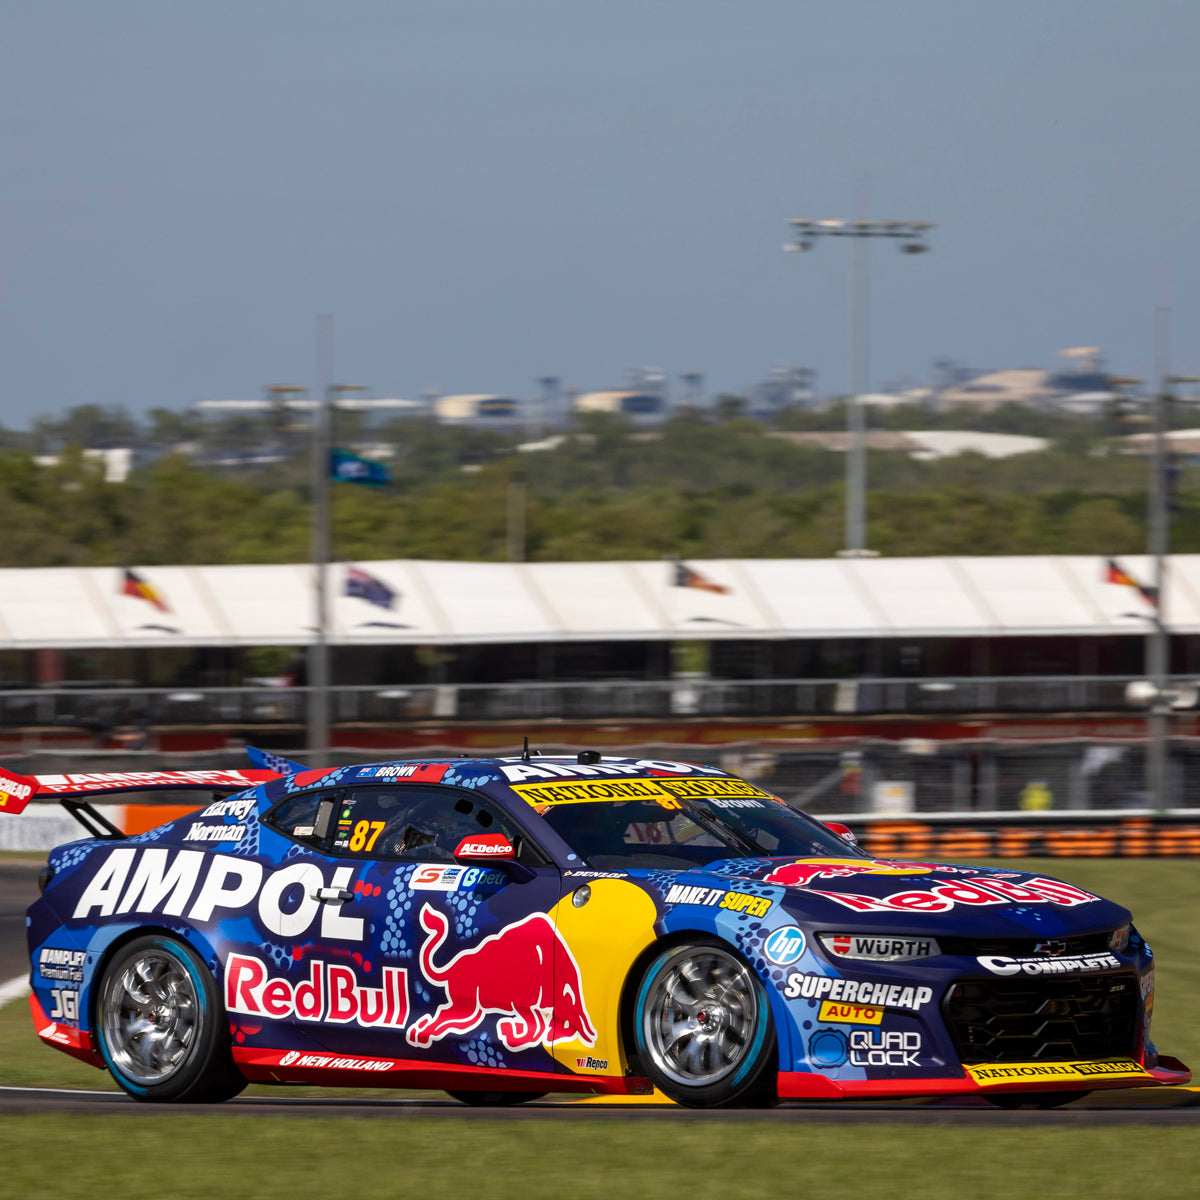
[926, 898]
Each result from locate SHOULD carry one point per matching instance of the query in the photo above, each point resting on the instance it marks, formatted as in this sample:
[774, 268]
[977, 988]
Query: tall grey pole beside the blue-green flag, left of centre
[319, 655]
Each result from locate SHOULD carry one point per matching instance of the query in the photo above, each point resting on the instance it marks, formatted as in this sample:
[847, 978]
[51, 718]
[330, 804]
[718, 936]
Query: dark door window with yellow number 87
[411, 823]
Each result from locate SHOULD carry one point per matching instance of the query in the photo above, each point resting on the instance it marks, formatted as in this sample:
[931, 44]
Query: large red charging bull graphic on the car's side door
[526, 974]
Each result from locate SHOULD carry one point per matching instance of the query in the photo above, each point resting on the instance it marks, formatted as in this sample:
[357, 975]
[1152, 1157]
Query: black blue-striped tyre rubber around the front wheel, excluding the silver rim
[754, 1082]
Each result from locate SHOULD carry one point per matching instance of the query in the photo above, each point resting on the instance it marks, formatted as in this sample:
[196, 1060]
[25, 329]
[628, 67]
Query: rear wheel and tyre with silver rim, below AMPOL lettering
[161, 1027]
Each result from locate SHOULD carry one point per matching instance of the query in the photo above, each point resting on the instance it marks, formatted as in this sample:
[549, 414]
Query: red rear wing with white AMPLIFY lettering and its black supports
[16, 791]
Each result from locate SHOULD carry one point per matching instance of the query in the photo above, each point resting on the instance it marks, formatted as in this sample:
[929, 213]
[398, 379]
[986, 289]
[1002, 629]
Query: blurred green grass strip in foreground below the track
[136, 1157]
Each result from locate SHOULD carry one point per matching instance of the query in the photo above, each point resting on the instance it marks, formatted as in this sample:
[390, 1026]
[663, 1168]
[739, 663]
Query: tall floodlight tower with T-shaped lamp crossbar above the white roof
[911, 238]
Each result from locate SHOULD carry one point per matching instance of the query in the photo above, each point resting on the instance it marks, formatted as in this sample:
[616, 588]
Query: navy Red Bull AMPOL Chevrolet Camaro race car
[505, 928]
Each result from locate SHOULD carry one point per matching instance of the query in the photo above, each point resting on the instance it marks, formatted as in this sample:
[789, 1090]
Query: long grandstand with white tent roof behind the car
[927, 670]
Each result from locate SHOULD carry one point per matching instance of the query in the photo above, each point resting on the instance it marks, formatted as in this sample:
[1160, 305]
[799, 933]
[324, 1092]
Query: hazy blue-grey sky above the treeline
[484, 191]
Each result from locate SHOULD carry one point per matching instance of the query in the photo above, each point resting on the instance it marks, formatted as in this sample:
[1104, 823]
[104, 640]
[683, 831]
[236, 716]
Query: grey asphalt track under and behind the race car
[19, 889]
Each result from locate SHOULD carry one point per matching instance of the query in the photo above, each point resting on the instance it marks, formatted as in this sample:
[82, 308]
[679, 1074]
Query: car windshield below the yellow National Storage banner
[691, 833]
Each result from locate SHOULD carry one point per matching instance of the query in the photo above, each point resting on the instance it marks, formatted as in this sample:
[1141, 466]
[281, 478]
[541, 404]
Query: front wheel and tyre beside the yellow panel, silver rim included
[704, 1030]
